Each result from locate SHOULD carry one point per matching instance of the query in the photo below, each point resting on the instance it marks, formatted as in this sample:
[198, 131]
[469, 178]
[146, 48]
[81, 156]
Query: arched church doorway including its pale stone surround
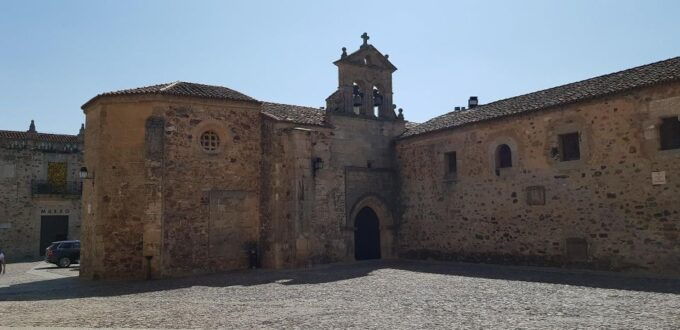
[370, 219]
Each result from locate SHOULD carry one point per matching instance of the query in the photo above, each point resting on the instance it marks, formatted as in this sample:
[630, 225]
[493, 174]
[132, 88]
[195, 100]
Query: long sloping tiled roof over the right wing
[646, 75]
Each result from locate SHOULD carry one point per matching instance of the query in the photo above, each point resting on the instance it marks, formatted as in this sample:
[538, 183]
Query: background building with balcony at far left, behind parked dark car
[40, 190]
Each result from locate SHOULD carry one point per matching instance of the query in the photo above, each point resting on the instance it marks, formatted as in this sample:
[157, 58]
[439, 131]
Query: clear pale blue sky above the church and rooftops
[55, 55]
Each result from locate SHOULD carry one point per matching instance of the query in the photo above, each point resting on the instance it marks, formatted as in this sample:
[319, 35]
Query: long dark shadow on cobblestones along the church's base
[73, 287]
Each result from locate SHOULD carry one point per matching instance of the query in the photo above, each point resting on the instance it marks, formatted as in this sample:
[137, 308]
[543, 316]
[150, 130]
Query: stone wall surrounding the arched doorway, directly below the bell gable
[306, 212]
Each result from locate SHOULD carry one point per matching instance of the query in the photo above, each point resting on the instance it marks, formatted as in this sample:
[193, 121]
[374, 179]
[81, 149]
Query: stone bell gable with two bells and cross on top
[364, 84]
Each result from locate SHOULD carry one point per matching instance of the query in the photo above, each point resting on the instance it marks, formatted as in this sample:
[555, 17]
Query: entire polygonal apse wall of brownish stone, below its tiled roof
[160, 205]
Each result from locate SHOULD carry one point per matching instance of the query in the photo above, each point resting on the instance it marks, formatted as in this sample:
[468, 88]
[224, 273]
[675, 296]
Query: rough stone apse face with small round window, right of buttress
[211, 200]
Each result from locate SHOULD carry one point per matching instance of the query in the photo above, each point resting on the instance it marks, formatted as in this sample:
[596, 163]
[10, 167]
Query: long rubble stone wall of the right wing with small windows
[601, 211]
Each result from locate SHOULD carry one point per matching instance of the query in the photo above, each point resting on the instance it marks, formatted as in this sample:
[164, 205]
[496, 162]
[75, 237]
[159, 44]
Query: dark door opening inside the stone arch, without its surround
[366, 235]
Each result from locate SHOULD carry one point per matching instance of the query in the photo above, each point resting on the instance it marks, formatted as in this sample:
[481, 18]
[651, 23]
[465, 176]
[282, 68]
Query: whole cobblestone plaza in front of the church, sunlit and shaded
[374, 294]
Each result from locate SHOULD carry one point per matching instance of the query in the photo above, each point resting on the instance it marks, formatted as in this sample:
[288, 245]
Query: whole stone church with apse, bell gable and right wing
[185, 178]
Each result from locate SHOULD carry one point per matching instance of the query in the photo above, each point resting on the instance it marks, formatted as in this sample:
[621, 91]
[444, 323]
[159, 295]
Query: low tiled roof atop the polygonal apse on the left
[181, 88]
